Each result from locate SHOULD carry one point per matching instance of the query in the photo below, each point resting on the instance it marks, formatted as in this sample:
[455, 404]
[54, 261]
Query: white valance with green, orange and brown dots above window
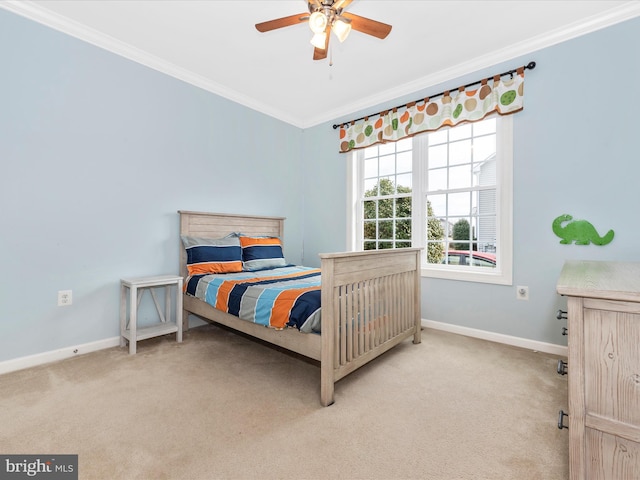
[503, 97]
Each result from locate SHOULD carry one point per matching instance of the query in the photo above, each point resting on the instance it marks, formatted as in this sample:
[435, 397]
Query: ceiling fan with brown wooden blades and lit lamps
[324, 17]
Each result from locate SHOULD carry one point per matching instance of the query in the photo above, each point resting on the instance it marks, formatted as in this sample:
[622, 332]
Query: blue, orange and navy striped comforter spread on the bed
[278, 298]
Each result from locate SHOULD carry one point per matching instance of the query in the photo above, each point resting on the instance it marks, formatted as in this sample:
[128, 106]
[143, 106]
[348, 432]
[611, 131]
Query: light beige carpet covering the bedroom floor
[221, 406]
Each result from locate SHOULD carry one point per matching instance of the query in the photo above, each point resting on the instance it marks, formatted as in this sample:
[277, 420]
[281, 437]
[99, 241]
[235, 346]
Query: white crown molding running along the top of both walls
[63, 24]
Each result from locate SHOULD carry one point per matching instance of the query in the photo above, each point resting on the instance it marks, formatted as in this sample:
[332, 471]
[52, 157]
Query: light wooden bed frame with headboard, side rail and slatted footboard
[370, 300]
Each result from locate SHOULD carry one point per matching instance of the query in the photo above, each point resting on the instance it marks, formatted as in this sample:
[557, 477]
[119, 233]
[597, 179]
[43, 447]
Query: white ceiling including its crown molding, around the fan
[213, 44]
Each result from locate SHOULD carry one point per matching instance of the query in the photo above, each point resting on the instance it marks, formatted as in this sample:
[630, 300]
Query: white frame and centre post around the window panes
[503, 273]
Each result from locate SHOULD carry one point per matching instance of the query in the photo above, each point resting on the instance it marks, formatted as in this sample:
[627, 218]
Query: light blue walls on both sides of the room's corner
[98, 153]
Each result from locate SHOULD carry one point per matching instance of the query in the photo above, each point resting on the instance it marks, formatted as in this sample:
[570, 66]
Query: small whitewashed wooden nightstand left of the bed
[129, 330]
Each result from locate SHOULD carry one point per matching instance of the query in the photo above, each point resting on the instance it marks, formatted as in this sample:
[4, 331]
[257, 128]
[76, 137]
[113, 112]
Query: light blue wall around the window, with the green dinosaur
[575, 151]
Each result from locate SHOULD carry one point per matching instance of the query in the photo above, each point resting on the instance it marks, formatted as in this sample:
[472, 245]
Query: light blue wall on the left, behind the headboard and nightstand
[98, 153]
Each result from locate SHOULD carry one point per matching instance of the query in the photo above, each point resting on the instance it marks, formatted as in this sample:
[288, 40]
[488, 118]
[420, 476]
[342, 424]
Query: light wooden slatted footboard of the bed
[369, 304]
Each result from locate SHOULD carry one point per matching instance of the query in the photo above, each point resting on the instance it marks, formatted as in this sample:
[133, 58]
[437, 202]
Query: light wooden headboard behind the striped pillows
[218, 225]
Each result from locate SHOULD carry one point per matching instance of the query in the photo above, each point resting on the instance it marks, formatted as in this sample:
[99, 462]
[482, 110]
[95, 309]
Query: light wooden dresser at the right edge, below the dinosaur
[603, 314]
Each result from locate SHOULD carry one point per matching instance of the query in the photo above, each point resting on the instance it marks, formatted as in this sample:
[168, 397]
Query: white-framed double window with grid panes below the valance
[448, 192]
